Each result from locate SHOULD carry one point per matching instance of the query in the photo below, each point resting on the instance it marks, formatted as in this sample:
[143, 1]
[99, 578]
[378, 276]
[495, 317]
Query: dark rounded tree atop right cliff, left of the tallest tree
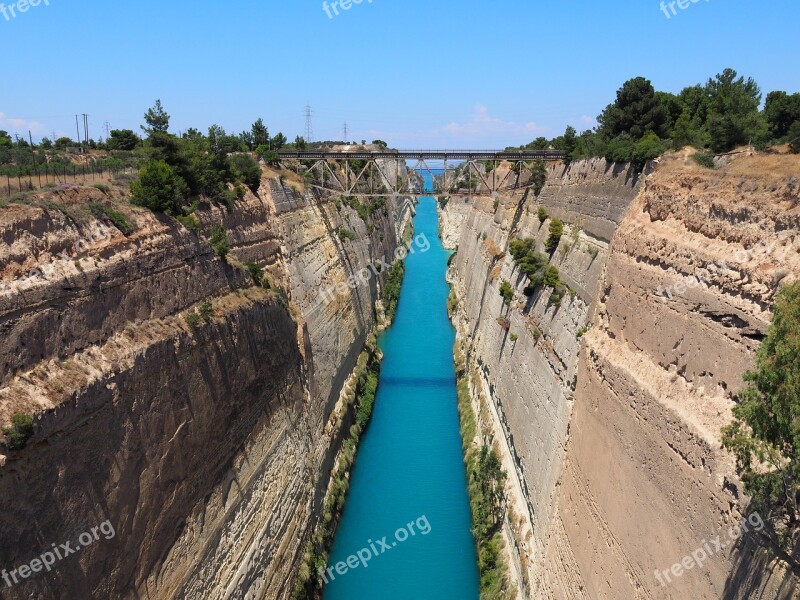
[636, 111]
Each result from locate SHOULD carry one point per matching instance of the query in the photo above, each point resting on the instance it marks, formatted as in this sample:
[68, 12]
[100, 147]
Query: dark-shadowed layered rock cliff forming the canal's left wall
[207, 448]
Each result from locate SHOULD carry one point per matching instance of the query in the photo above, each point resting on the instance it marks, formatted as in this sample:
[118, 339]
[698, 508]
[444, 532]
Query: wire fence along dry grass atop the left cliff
[48, 176]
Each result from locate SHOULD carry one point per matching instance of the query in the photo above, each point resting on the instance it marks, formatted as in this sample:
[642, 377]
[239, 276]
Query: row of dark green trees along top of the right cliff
[718, 116]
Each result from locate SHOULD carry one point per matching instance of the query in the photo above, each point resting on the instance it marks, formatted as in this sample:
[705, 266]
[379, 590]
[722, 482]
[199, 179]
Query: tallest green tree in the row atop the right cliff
[733, 116]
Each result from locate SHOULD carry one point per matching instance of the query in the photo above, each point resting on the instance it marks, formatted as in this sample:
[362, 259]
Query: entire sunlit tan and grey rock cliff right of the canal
[607, 409]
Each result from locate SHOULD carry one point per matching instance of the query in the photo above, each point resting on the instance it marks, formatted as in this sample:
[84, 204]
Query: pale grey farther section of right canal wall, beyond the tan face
[528, 382]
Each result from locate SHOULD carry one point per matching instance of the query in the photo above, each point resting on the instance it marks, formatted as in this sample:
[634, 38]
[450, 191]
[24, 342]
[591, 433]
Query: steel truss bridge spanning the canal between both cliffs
[469, 172]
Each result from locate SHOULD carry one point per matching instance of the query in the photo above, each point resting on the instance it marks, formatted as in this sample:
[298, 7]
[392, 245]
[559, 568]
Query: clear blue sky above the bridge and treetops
[473, 73]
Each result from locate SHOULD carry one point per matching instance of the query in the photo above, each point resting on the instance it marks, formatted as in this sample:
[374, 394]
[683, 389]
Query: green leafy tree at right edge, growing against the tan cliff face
[765, 435]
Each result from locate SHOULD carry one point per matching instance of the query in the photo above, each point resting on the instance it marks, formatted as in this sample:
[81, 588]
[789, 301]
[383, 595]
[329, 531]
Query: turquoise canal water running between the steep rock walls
[410, 468]
